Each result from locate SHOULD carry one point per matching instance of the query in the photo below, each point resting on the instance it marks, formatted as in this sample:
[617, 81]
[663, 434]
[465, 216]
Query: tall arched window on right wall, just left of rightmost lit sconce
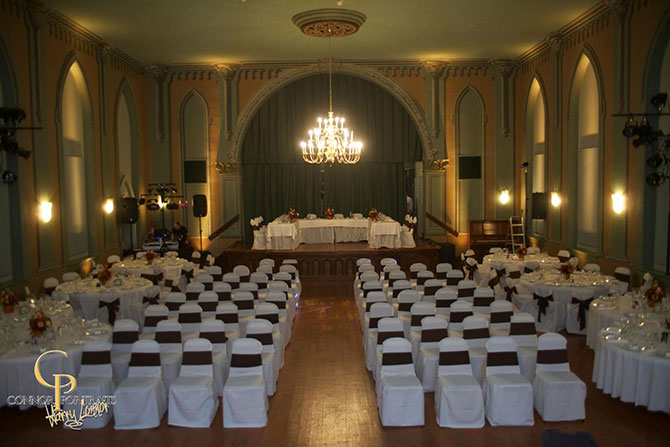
[585, 165]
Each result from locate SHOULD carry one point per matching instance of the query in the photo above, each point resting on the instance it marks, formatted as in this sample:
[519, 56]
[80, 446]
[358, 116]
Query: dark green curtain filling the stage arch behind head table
[275, 177]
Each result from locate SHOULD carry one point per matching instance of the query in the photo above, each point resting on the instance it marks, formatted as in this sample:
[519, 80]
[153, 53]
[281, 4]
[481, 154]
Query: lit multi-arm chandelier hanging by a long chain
[331, 142]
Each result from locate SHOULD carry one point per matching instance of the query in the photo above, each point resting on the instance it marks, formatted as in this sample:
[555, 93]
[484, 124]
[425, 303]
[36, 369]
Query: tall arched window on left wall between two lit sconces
[76, 165]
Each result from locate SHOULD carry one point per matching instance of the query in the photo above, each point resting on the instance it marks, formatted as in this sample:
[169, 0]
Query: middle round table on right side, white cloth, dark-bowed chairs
[595, 284]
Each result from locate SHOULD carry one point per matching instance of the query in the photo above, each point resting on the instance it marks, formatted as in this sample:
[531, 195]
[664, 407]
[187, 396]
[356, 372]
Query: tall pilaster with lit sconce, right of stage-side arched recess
[503, 142]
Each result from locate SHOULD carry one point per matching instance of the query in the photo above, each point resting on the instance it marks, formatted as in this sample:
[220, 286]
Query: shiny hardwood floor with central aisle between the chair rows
[326, 397]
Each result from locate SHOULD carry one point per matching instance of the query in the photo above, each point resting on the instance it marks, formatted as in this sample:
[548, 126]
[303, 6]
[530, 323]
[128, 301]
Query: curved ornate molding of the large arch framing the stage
[288, 76]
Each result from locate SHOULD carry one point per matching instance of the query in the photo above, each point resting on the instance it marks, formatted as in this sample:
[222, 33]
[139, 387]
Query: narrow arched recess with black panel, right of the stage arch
[469, 149]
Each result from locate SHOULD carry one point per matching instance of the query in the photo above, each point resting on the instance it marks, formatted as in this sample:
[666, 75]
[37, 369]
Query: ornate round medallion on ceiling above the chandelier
[329, 22]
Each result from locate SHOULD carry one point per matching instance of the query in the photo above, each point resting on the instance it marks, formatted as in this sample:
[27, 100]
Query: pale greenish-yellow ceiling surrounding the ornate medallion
[221, 31]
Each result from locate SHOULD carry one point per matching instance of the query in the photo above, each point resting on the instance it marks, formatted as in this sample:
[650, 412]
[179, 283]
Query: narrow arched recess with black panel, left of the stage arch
[195, 143]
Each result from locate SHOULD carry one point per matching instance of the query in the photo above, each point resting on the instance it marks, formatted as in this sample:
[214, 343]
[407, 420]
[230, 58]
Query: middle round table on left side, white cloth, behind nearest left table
[84, 295]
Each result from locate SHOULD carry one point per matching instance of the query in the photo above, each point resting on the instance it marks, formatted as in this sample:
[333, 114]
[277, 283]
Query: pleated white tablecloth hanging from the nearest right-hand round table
[639, 377]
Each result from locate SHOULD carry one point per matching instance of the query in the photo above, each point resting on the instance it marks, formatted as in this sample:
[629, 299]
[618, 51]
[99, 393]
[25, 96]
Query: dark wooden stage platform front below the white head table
[330, 261]
